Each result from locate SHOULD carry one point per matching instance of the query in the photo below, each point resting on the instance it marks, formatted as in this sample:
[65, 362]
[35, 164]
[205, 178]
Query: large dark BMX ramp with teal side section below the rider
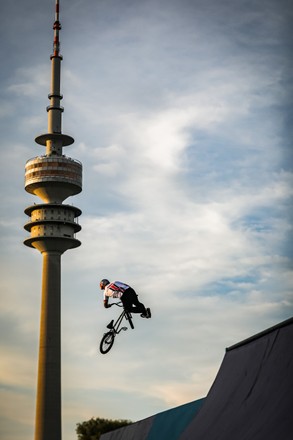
[250, 399]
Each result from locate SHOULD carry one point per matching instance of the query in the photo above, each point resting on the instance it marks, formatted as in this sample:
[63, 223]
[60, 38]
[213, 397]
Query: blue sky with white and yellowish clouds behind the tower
[182, 117]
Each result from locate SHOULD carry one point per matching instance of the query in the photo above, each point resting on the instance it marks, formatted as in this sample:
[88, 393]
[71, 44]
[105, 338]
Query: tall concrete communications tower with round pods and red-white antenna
[52, 225]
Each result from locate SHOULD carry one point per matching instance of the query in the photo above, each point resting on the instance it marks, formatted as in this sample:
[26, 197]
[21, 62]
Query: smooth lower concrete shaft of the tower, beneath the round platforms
[48, 408]
